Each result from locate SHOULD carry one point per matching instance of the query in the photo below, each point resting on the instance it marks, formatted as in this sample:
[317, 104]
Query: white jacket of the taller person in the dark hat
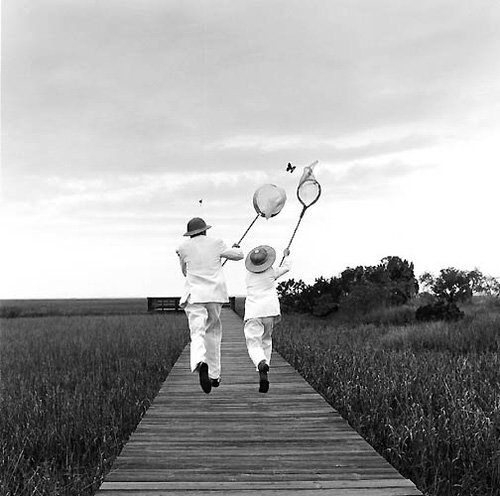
[200, 259]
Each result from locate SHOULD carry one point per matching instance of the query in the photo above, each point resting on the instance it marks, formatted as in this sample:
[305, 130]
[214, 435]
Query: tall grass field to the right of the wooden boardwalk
[426, 396]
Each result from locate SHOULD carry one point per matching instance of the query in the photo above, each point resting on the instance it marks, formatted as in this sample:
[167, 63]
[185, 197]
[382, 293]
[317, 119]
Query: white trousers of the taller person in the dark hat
[206, 335]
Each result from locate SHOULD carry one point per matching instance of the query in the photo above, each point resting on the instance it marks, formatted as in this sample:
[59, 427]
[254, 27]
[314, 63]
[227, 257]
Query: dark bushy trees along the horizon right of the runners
[392, 282]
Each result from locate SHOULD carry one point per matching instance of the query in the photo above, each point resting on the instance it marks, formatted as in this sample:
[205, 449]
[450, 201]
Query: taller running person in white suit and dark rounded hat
[205, 292]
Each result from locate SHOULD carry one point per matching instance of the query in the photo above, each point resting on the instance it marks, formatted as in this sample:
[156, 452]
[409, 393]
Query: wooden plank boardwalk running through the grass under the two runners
[236, 441]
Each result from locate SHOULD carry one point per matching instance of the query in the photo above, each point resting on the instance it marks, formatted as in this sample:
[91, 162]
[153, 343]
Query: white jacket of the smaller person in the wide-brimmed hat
[262, 298]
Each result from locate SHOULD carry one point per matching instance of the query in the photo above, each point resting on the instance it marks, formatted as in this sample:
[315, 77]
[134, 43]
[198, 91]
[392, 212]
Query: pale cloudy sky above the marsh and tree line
[118, 117]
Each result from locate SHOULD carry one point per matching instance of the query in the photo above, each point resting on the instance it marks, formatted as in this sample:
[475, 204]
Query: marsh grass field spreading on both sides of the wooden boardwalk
[74, 386]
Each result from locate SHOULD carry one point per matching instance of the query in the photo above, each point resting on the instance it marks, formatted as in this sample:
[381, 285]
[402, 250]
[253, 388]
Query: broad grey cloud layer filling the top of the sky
[124, 87]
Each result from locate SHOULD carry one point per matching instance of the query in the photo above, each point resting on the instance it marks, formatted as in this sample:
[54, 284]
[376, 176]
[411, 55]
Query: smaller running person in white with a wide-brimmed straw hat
[262, 308]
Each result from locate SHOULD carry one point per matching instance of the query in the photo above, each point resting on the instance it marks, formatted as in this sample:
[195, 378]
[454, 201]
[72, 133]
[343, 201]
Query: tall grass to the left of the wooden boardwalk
[72, 391]
